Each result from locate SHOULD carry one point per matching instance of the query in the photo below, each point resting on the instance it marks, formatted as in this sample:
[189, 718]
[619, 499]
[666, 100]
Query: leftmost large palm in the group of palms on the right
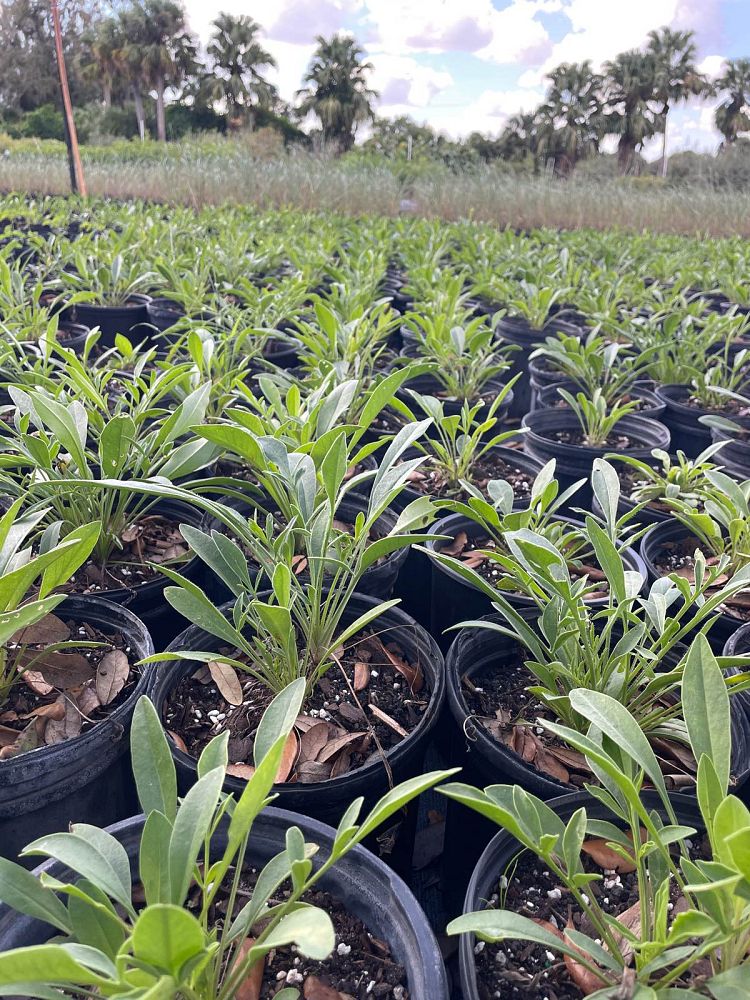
[570, 122]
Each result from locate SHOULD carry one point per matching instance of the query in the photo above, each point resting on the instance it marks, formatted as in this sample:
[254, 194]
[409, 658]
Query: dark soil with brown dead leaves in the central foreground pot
[358, 711]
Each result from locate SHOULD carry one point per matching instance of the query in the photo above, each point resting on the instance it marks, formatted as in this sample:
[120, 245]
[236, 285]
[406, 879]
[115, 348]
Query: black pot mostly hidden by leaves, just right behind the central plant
[454, 600]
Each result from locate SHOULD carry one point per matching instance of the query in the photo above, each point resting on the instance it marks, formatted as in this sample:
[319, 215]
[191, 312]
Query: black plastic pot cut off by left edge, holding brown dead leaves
[86, 779]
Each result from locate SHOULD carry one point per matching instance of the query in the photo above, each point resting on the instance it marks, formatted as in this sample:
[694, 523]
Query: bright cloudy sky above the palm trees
[462, 65]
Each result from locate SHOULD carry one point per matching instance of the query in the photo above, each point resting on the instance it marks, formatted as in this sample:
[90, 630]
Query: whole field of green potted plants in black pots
[375, 609]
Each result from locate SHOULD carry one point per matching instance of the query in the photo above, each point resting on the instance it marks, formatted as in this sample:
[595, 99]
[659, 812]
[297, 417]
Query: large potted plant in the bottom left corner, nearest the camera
[165, 934]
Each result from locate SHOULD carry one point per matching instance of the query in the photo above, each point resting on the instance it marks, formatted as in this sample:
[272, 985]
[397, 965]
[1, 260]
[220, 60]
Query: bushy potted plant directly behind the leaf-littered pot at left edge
[60, 449]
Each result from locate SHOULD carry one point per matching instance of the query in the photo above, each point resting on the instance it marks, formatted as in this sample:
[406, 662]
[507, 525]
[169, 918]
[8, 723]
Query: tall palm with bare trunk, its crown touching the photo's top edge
[165, 49]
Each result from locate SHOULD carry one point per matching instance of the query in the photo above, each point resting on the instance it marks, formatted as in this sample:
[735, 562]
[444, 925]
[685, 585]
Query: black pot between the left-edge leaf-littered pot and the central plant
[146, 600]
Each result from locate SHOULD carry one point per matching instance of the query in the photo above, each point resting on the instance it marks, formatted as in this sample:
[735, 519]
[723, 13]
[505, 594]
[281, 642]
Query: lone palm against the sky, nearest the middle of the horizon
[337, 91]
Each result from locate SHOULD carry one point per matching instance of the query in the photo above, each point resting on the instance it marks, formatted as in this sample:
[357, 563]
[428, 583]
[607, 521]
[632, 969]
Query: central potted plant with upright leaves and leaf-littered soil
[374, 678]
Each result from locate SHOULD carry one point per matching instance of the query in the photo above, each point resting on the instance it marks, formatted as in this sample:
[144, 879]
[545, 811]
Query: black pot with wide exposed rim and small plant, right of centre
[573, 461]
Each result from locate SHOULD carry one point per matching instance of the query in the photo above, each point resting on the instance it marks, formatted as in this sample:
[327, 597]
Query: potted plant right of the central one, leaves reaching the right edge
[628, 646]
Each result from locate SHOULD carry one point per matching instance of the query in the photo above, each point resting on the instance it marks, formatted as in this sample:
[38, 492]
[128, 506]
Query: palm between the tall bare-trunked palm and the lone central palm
[238, 59]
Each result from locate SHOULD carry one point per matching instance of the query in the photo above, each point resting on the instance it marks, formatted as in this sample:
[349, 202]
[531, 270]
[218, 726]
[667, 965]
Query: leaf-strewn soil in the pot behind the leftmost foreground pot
[151, 539]
